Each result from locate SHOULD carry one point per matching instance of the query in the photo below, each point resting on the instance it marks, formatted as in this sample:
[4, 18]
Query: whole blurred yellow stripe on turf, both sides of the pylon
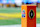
[14, 15]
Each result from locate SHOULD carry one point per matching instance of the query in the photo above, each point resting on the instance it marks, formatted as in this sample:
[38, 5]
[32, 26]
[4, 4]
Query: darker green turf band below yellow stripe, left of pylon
[10, 21]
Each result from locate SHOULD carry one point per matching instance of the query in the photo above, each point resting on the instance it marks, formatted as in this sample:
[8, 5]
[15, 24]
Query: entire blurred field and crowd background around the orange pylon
[10, 12]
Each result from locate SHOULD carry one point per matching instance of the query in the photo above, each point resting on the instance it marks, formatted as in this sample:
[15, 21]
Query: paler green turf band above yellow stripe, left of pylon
[10, 10]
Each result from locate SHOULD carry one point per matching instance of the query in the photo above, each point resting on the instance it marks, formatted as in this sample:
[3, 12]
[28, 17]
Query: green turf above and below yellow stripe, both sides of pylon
[14, 20]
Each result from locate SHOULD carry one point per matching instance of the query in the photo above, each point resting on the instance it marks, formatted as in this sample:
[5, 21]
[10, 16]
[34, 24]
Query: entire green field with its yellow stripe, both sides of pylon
[9, 16]
